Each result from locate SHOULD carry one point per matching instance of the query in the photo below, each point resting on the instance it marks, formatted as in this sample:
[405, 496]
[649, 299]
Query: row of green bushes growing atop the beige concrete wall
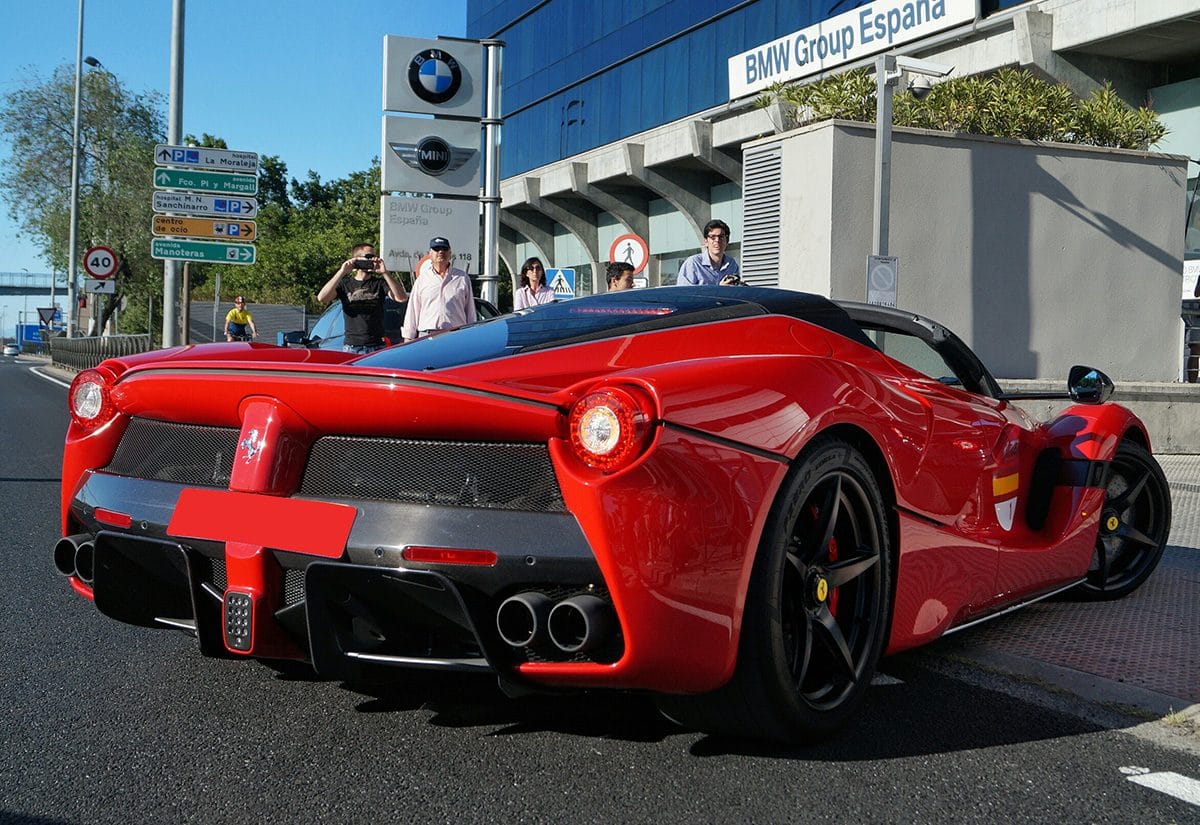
[1010, 104]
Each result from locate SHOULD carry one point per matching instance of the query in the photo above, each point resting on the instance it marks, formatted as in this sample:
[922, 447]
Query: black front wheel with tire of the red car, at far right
[1136, 523]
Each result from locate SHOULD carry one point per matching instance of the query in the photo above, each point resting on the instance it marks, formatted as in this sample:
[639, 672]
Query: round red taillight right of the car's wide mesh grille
[610, 427]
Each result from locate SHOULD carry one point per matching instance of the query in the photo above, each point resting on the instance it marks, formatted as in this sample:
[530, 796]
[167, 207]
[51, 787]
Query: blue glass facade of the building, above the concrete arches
[580, 76]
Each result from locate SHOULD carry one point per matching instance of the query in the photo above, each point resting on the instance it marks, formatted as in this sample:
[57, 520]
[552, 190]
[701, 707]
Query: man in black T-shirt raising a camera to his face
[363, 297]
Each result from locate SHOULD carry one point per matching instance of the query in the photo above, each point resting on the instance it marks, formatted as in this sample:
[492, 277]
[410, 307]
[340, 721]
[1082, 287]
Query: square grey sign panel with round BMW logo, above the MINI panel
[439, 77]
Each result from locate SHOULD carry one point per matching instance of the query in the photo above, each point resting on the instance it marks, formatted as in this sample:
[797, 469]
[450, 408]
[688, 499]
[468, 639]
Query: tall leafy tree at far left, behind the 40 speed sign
[118, 131]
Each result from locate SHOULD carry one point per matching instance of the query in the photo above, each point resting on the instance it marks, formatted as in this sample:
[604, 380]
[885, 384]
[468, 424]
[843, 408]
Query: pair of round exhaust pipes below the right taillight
[574, 625]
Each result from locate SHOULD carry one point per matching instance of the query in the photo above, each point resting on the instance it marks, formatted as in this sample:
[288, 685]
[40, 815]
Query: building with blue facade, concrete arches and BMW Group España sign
[629, 118]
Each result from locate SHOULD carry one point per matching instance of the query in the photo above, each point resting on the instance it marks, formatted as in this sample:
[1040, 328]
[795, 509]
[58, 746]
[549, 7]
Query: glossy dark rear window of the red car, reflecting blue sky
[605, 317]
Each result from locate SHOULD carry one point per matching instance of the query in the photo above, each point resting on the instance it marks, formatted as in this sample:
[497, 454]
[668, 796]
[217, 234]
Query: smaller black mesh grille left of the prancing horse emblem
[183, 454]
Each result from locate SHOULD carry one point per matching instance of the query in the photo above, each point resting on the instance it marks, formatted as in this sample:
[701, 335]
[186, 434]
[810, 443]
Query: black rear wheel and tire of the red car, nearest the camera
[818, 609]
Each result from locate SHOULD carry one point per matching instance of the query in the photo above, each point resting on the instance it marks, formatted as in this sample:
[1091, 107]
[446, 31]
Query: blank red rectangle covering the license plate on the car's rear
[316, 528]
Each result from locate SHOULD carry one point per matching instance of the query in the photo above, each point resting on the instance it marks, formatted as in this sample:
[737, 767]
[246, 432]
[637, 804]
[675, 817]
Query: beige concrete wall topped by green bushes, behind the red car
[1040, 256]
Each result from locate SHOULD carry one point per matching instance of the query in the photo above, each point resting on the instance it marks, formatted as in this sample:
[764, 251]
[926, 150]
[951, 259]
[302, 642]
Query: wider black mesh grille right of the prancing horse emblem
[457, 474]
